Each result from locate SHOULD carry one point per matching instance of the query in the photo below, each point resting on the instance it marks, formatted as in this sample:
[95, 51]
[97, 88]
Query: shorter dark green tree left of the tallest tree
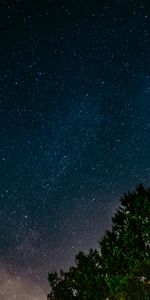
[81, 281]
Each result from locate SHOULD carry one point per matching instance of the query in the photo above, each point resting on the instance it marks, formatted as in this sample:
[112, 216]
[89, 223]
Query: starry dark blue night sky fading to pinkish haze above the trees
[75, 129]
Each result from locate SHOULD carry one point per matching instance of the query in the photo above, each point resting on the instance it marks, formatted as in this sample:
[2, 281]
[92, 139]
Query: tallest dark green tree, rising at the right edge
[126, 248]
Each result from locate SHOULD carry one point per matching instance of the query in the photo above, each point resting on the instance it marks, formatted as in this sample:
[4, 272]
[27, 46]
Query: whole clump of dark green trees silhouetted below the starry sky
[121, 267]
